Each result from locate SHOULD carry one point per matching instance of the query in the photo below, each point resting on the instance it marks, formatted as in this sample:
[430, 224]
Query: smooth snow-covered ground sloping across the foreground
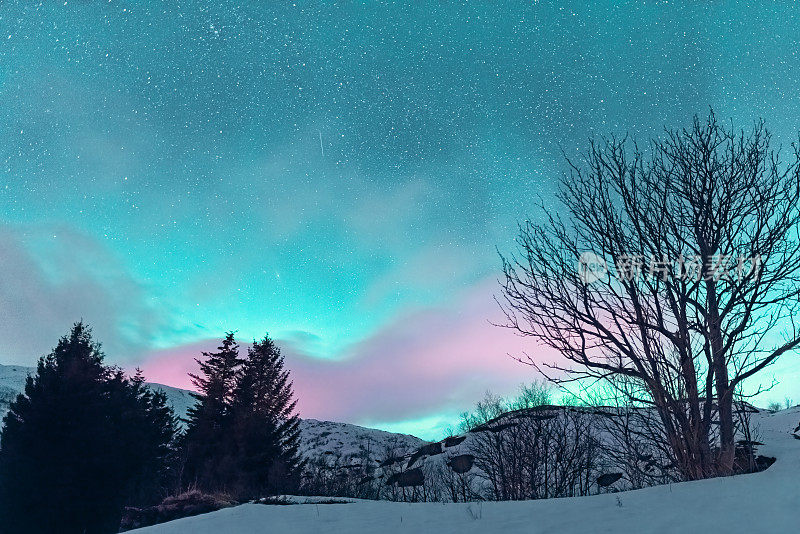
[763, 502]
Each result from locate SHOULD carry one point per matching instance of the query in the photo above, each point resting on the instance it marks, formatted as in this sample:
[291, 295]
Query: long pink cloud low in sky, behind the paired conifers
[423, 363]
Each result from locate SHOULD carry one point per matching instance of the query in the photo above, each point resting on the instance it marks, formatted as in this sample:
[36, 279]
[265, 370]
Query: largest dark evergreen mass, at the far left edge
[71, 448]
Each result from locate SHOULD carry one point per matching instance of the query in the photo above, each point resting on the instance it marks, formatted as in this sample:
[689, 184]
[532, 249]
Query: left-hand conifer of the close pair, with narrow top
[207, 443]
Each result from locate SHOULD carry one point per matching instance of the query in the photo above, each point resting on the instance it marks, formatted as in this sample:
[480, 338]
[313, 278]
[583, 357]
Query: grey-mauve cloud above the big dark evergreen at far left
[53, 276]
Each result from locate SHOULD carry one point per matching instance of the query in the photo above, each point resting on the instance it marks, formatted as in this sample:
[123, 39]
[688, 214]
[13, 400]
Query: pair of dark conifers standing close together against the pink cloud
[242, 435]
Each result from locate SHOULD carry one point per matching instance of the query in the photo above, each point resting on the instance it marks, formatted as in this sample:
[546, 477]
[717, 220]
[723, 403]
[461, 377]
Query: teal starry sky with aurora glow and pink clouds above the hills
[338, 174]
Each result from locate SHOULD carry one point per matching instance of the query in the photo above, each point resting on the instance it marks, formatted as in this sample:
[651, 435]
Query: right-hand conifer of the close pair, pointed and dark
[266, 427]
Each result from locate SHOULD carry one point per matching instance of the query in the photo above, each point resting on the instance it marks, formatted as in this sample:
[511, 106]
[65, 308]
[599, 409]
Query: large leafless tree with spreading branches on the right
[700, 232]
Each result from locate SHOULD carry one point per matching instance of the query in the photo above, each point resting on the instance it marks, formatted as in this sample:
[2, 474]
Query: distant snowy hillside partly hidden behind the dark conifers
[319, 439]
